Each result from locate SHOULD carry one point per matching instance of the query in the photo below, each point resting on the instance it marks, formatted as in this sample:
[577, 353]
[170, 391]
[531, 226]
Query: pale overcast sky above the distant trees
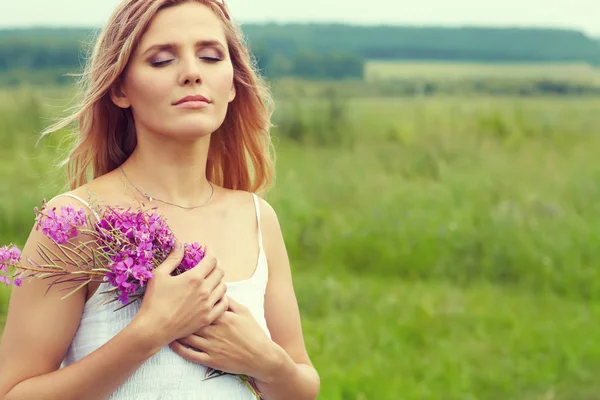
[582, 15]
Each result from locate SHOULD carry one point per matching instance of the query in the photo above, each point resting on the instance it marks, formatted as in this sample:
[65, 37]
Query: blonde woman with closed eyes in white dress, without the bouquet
[174, 116]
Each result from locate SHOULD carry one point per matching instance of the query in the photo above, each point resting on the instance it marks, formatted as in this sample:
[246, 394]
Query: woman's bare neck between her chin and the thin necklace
[171, 171]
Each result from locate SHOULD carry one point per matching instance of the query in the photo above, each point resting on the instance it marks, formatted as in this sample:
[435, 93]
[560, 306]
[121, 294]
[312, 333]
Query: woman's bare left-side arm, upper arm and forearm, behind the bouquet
[38, 332]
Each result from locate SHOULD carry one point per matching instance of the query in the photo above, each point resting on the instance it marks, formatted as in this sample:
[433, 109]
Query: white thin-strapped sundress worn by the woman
[166, 375]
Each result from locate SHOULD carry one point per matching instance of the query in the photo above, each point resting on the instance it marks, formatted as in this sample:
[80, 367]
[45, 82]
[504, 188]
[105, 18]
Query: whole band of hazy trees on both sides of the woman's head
[330, 51]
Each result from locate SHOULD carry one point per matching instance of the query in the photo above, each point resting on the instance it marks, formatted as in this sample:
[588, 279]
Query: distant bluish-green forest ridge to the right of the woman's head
[430, 43]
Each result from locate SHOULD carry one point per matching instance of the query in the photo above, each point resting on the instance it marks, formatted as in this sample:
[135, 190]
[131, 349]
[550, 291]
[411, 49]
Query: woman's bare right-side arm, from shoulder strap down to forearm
[294, 376]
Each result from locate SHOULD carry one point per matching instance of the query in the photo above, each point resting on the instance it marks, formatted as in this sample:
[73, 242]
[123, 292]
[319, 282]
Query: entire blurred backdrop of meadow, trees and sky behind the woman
[437, 181]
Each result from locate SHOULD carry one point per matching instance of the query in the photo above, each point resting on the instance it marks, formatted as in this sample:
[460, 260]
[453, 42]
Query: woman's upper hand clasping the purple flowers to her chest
[178, 306]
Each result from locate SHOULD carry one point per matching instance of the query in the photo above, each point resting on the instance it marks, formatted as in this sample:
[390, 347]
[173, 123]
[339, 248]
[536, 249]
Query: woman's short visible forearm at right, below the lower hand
[290, 381]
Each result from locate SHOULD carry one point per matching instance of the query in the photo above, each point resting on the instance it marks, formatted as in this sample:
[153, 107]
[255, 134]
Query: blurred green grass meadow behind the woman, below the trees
[443, 248]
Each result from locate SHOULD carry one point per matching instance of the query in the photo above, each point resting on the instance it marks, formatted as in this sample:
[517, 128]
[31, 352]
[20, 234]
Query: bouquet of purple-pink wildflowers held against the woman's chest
[121, 247]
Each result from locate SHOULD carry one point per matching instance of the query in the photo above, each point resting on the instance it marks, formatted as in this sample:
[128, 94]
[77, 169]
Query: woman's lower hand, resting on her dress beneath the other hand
[235, 343]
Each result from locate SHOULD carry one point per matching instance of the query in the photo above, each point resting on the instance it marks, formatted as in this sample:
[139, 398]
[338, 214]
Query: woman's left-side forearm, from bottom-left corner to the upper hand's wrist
[97, 375]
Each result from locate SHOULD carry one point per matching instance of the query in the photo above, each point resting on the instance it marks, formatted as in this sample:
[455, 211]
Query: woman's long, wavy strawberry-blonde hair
[240, 150]
